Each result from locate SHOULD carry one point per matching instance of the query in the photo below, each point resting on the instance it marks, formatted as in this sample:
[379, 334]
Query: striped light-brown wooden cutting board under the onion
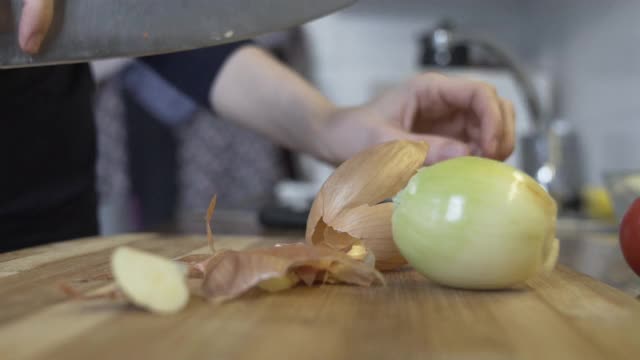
[565, 315]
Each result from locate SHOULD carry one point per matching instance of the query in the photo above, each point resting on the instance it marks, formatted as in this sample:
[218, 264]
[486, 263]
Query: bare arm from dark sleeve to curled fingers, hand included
[455, 116]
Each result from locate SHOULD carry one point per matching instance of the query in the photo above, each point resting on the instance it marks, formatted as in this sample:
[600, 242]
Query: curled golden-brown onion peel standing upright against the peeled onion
[348, 208]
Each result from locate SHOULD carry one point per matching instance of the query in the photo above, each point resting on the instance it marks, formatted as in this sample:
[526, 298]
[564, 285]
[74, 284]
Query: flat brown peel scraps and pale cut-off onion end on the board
[160, 285]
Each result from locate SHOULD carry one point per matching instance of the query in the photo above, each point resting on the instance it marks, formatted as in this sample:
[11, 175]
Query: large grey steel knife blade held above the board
[94, 29]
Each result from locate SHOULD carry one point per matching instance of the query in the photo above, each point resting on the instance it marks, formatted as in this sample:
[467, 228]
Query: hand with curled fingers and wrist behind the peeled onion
[456, 116]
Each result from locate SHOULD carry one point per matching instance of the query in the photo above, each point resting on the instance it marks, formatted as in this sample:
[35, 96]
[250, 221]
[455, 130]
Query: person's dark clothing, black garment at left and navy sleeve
[48, 143]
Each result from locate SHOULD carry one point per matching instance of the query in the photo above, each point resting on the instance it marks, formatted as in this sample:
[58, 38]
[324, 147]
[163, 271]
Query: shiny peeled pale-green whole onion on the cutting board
[475, 223]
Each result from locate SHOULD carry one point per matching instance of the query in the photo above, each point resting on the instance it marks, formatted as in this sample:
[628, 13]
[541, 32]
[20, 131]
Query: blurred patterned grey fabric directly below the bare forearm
[216, 156]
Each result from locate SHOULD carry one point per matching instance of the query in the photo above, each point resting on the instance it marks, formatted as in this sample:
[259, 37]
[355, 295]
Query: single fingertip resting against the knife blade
[34, 24]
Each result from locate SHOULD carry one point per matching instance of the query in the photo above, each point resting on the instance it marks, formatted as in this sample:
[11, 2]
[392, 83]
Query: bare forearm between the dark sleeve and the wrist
[254, 90]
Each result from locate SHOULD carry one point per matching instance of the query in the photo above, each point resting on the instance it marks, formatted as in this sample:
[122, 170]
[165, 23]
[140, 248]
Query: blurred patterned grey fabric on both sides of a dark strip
[215, 157]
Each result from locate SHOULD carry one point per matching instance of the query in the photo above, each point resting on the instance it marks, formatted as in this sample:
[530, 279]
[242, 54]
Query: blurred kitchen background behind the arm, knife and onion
[572, 69]
